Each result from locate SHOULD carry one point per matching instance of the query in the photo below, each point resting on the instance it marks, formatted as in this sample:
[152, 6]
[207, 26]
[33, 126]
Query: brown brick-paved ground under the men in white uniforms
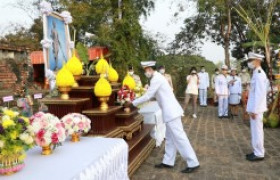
[220, 146]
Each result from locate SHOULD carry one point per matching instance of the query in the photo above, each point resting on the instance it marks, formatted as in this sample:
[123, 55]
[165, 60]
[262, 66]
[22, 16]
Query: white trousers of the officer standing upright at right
[257, 135]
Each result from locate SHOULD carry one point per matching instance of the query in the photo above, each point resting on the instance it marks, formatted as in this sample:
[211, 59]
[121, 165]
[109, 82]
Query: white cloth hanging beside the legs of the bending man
[153, 115]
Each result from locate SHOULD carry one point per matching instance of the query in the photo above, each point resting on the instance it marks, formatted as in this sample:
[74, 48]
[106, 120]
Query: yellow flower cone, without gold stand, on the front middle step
[102, 87]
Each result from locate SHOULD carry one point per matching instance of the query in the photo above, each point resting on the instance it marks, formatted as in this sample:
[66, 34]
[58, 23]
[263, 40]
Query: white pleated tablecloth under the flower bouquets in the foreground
[89, 159]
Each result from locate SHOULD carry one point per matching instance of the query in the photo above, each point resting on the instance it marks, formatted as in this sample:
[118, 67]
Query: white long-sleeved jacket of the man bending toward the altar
[161, 90]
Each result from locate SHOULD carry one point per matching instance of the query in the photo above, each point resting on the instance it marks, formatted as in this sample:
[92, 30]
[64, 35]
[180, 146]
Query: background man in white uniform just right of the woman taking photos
[203, 86]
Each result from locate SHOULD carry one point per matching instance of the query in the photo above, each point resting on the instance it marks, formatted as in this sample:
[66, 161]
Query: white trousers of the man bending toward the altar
[176, 139]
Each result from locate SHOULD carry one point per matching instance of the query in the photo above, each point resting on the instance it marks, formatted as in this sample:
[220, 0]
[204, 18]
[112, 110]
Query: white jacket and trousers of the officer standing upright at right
[257, 104]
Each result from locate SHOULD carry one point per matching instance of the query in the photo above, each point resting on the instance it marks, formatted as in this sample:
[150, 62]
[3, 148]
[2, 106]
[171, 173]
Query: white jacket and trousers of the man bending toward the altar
[176, 138]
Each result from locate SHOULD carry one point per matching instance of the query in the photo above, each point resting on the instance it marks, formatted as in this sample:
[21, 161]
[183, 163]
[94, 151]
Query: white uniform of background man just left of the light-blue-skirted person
[222, 91]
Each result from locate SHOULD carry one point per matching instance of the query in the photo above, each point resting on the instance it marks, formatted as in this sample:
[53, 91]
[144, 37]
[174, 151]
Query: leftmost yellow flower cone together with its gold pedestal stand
[64, 81]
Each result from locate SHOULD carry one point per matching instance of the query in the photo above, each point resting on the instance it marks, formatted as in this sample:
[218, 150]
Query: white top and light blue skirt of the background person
[235, 90]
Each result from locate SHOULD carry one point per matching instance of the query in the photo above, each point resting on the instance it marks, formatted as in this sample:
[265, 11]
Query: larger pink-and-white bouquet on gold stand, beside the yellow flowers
[49, 131]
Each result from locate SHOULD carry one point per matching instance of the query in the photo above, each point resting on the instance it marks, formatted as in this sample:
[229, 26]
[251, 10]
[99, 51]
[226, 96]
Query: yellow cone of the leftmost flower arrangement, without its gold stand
[64, 78]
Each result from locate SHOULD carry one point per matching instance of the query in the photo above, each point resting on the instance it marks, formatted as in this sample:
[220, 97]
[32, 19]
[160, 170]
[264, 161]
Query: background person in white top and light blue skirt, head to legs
[235, 89]
